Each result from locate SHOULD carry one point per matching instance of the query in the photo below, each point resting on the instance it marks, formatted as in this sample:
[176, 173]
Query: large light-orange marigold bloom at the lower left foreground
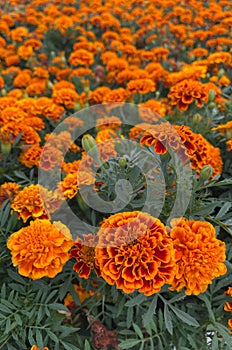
[39, 250]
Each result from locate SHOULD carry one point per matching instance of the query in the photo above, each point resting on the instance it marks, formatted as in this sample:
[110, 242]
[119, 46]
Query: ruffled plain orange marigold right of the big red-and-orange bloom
[200, 256]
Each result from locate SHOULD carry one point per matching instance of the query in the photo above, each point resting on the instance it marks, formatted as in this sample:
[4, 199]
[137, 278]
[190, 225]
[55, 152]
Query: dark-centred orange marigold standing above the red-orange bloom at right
[186, 91]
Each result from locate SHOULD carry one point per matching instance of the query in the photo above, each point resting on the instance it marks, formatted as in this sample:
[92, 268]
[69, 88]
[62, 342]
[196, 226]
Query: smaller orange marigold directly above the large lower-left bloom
[28, 202]
